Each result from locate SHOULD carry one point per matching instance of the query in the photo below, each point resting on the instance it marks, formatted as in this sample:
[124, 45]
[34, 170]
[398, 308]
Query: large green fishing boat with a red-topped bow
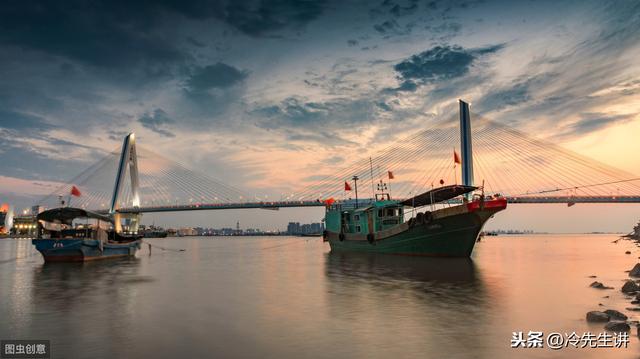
[379, 226]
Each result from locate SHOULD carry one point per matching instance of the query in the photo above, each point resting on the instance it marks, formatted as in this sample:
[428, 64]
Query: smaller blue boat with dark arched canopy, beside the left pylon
[70, 234]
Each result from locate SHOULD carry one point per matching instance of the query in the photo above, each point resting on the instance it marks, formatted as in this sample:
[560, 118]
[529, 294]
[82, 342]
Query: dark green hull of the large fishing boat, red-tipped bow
[449, 236]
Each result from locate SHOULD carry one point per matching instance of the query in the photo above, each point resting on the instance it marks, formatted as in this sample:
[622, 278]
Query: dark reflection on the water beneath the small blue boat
[86, 300]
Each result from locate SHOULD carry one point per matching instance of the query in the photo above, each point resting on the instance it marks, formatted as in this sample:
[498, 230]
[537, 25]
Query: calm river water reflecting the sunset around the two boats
[289, 297]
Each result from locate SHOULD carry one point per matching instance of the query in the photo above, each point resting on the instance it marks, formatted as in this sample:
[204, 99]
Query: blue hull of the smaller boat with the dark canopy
[82, 250]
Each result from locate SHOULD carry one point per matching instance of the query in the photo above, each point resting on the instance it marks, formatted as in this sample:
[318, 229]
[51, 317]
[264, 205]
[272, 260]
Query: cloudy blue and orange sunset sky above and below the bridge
[258, 94]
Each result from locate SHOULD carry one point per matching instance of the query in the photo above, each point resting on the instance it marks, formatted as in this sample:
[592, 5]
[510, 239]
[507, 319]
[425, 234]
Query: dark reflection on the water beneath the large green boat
[434, 302]
